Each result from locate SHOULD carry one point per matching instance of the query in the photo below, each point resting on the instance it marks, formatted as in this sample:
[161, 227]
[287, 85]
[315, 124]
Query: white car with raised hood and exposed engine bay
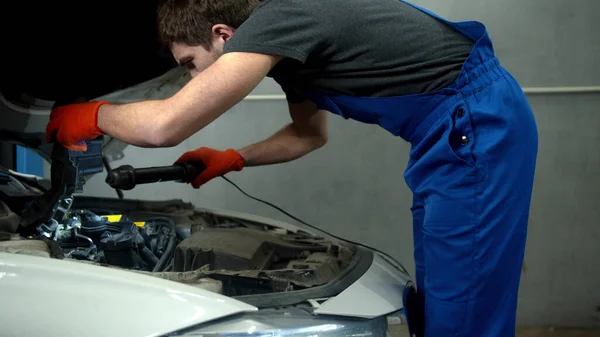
[75, 265]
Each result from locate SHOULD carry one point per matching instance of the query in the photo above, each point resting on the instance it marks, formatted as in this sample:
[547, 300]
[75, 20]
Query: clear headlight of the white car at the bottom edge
[289, 322]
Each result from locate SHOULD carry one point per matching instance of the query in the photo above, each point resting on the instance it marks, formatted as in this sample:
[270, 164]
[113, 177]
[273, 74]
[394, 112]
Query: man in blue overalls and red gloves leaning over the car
[433, 83]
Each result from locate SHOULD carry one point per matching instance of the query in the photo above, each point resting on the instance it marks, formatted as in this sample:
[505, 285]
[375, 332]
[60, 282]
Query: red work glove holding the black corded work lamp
[217, 163]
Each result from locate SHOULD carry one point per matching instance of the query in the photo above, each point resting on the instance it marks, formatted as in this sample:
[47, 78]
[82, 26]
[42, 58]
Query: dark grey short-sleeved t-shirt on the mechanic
[371, 48]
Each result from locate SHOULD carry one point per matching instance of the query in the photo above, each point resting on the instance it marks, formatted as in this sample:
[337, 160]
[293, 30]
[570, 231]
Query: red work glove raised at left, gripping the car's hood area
[74, 123]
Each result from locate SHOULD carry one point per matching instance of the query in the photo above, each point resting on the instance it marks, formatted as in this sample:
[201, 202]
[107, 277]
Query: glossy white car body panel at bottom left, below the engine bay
[52, 297]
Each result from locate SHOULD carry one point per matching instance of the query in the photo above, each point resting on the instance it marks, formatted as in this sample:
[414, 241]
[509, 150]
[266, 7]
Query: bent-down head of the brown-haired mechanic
[196, 30]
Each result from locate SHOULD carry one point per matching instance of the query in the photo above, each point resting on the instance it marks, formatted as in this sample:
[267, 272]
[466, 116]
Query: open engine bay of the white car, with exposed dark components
[171, 239]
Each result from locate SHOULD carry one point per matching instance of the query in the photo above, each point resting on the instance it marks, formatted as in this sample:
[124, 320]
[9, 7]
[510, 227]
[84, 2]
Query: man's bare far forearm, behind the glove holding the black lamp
[306, 133]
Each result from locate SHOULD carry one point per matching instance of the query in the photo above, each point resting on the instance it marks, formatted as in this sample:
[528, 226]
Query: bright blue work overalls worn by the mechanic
[471, 169]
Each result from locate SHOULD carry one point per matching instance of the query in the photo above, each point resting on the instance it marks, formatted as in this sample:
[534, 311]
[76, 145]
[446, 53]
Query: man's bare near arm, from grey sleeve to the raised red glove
[165, 123]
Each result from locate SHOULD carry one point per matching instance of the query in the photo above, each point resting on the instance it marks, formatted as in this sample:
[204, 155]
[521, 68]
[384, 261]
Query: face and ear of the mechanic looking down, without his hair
[198, 58]
